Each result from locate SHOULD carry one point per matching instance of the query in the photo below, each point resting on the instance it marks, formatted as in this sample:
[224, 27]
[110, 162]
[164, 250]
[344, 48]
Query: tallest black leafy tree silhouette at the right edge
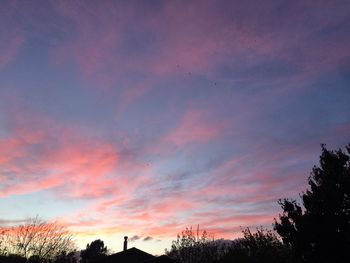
[318, 229]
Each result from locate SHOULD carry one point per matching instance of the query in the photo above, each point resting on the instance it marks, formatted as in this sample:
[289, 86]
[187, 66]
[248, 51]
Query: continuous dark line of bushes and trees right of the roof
[314, 230]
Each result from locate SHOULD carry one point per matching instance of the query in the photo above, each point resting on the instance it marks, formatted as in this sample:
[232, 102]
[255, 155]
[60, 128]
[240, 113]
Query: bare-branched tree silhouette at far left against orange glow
[37, 239]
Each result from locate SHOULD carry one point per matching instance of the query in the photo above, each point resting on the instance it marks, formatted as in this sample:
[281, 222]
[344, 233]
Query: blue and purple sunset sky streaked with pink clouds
[142, 118]
